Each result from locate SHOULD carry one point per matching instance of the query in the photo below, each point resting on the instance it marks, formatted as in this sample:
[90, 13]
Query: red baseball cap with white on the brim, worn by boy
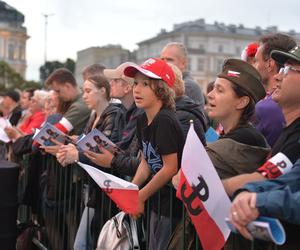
[154, 68]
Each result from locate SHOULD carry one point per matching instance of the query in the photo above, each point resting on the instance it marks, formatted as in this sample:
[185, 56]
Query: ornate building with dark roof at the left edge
[13, 37]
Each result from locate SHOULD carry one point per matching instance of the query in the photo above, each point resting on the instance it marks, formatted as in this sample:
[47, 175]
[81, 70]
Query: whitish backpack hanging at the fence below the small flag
[119, 233]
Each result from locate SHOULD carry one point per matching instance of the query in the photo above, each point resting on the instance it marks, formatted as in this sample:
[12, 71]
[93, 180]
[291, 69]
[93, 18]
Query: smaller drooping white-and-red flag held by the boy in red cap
[123, 193]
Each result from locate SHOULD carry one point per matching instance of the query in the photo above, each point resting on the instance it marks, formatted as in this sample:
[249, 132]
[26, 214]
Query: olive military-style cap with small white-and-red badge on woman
[244, 75]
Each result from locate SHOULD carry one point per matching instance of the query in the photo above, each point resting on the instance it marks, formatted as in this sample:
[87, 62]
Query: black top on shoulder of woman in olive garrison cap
[247, 135]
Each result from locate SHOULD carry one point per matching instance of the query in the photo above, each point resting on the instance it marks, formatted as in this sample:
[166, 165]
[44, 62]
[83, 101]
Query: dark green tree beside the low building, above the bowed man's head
[50, 66]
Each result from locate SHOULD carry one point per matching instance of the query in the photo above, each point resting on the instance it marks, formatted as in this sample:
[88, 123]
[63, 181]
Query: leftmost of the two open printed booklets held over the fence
[49, 135]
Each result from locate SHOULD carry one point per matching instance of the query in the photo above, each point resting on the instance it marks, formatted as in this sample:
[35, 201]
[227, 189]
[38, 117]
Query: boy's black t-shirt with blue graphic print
[162, 137]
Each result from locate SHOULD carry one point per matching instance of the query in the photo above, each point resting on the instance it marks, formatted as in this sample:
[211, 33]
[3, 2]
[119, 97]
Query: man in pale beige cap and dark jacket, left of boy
[121, 88]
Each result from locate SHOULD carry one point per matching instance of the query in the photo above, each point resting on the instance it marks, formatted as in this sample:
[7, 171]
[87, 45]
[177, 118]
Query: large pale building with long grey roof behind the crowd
[208, 45]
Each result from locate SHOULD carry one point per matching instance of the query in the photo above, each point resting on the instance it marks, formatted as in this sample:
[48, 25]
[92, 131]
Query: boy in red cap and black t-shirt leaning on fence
[161, 140]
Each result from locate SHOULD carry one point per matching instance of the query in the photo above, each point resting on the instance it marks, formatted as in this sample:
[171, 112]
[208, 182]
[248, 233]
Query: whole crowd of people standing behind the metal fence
[254, 105]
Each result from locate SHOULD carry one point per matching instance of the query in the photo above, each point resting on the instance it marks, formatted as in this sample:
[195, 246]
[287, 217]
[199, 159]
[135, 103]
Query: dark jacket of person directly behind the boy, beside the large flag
[186, 110]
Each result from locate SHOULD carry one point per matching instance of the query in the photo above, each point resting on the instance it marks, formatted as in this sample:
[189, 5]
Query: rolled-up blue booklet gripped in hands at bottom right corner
[264, 228]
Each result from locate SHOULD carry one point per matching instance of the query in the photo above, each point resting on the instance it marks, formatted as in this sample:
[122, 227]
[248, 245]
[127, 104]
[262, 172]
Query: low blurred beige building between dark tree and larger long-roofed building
[110, 56]
